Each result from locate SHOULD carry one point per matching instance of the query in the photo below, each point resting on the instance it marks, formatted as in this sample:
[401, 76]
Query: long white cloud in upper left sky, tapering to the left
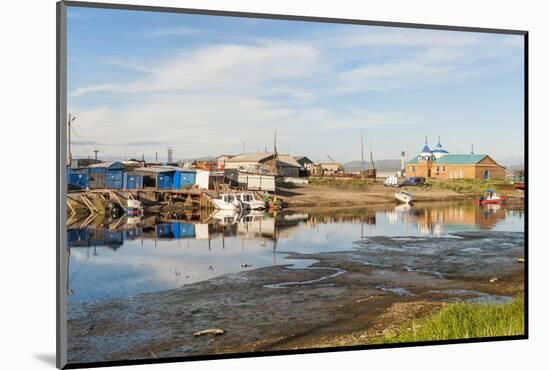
[222, 68]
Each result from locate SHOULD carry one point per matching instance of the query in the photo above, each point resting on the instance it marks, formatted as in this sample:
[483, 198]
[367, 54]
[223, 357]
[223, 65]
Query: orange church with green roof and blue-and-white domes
[439, 164]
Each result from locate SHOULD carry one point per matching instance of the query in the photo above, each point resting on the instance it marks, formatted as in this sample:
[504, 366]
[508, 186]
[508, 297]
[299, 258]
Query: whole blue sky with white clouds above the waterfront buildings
[139, 82]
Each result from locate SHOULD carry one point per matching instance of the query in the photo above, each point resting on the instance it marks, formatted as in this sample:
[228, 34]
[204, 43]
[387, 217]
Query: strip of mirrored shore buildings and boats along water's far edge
[429, 219]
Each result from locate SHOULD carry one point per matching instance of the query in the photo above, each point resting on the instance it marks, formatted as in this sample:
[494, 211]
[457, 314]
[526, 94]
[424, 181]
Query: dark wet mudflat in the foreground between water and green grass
[386, 281]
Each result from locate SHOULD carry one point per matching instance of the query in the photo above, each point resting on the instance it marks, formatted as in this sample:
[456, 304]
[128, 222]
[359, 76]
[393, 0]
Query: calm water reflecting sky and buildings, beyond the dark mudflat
[130, 256]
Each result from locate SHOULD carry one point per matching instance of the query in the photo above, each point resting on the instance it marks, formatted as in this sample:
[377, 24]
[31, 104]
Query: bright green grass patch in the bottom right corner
[462, 321]
